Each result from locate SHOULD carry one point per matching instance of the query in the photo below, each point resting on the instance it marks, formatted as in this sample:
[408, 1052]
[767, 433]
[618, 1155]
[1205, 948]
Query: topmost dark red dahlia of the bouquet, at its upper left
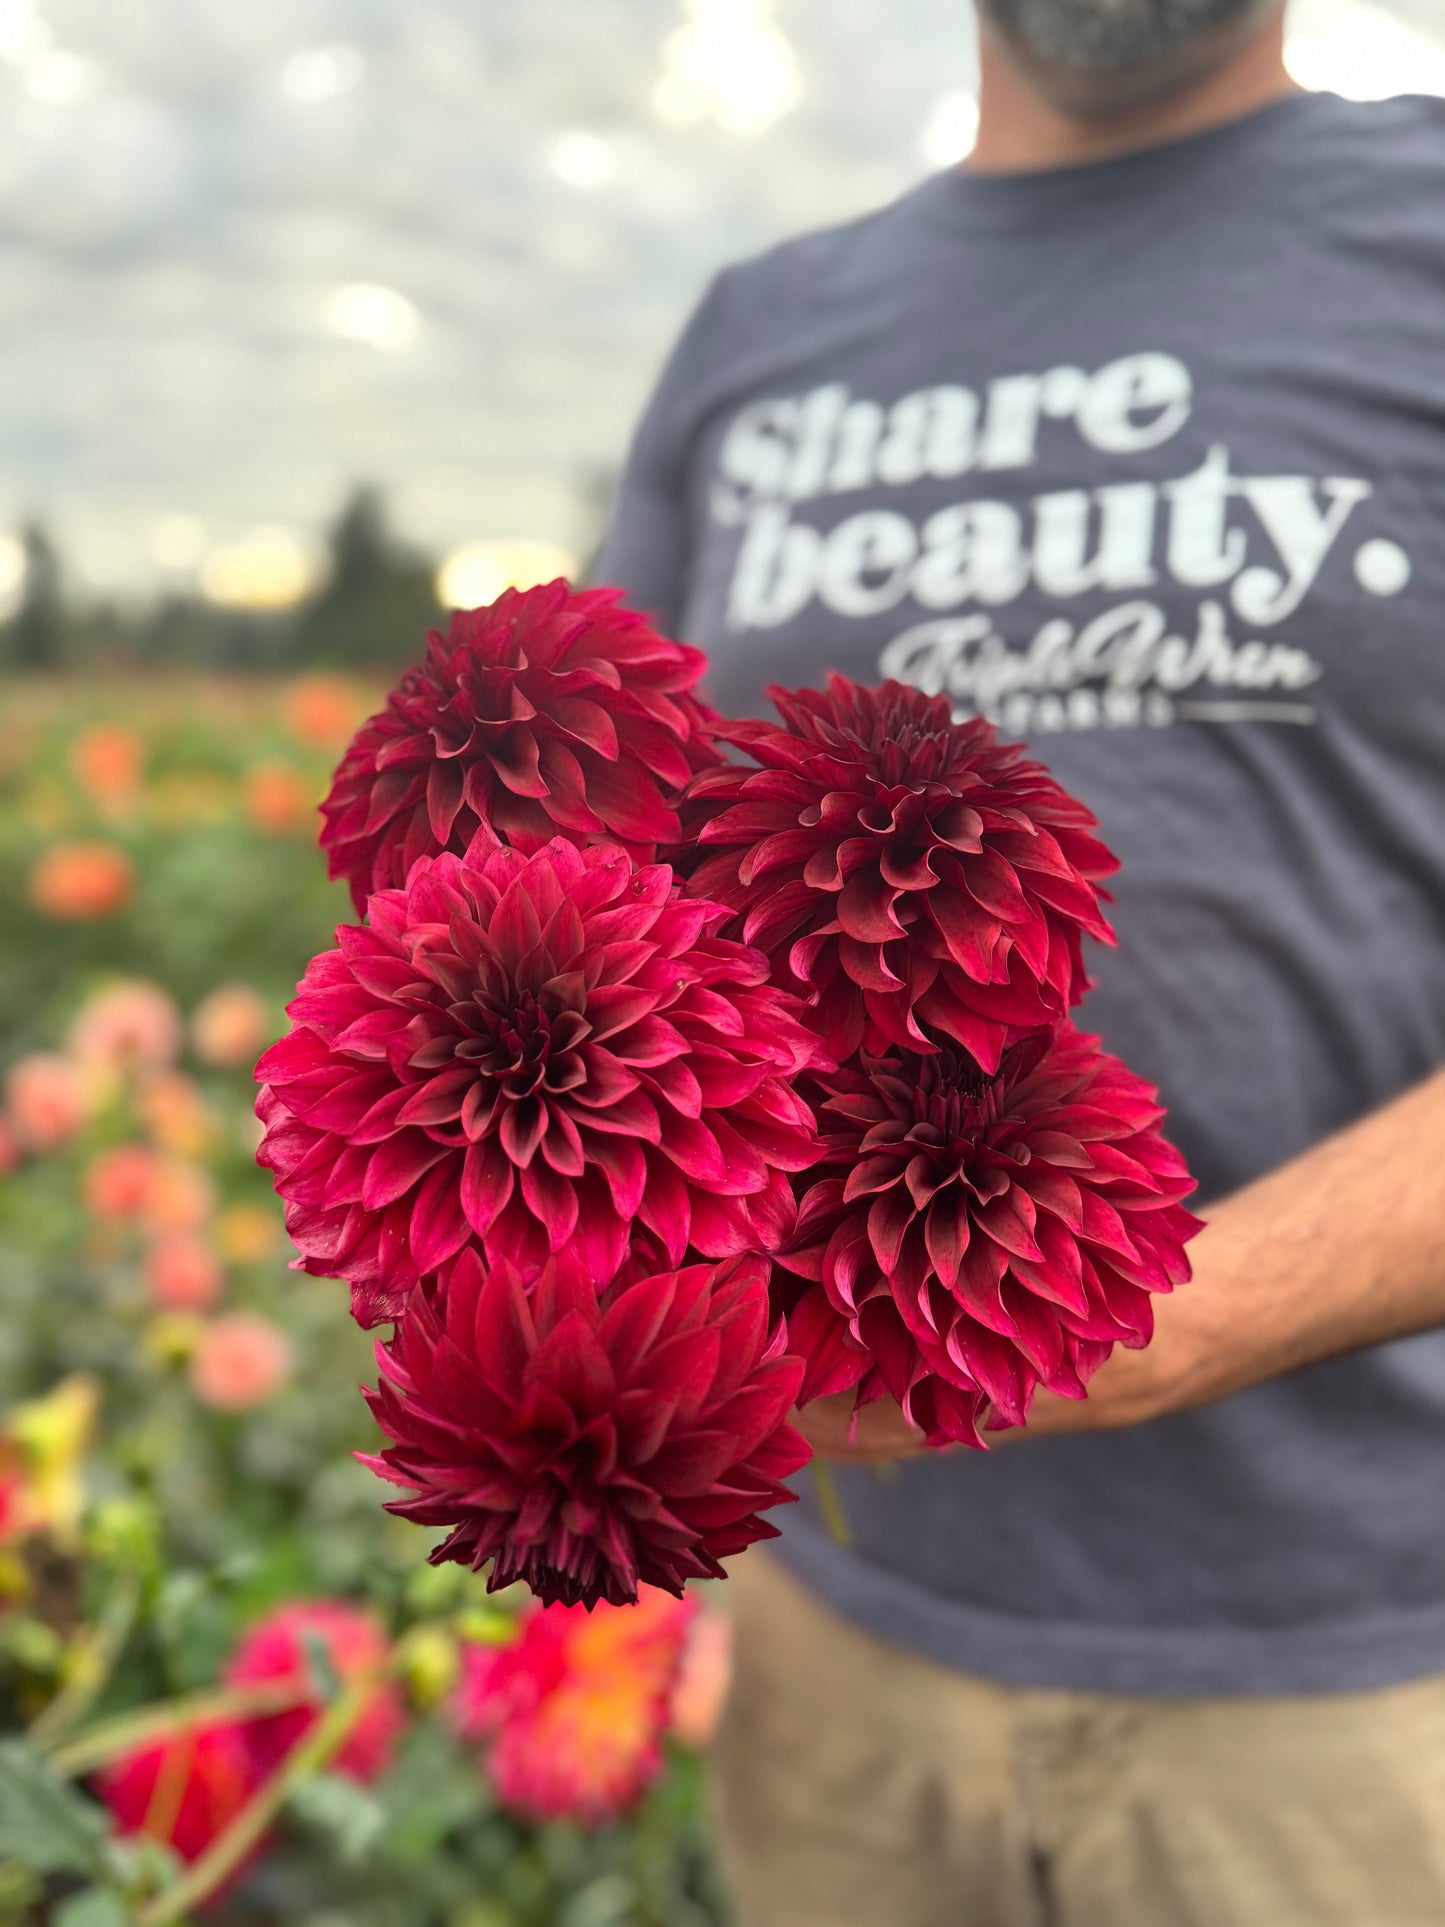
[548, 714]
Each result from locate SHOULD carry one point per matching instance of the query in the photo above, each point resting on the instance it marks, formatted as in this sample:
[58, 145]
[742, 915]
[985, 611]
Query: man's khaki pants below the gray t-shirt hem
[858, 1783]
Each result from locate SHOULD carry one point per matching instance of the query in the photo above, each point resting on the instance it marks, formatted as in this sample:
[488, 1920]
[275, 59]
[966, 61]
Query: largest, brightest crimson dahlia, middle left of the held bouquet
[533, 1053]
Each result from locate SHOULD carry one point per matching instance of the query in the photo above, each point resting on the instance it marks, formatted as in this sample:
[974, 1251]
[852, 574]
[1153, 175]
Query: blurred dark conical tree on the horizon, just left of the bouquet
[379, 600]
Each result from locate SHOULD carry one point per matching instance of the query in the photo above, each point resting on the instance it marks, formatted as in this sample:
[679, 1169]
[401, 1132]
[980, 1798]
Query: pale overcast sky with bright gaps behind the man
[251, 253]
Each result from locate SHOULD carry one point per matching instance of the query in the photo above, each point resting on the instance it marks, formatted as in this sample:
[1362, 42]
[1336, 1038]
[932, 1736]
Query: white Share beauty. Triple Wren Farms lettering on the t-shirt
[1251, 546]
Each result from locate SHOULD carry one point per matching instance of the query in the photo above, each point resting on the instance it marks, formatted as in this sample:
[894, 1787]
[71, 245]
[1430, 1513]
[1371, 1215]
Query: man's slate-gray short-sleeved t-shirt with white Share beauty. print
[1145, 462]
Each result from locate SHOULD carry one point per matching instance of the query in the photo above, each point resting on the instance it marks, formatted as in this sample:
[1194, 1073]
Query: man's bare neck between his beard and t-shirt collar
[1022, 132]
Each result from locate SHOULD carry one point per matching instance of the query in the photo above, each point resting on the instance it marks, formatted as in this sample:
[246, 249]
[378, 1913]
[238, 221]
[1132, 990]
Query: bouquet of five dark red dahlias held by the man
[658, 1094]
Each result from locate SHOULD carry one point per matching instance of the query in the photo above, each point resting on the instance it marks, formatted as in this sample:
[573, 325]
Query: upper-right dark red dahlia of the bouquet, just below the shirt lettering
[914, 878]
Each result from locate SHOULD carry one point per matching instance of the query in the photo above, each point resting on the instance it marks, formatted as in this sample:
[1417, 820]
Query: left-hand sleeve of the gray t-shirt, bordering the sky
[646, 550]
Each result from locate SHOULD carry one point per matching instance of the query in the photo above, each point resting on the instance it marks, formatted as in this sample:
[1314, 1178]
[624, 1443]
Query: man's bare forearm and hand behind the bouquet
[1338, 1250]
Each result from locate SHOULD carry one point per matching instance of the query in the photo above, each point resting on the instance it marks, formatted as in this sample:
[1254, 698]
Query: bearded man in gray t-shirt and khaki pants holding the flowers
[1132, 436]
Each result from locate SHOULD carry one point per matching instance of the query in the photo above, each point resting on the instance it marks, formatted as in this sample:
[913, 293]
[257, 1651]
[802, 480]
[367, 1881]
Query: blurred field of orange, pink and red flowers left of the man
[232, 1687]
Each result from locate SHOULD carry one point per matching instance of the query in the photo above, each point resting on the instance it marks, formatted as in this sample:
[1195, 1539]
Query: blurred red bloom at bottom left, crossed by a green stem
[184, 1789]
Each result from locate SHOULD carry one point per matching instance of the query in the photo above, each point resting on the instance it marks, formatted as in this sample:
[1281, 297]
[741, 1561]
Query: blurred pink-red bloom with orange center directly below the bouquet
[573, 1712]
